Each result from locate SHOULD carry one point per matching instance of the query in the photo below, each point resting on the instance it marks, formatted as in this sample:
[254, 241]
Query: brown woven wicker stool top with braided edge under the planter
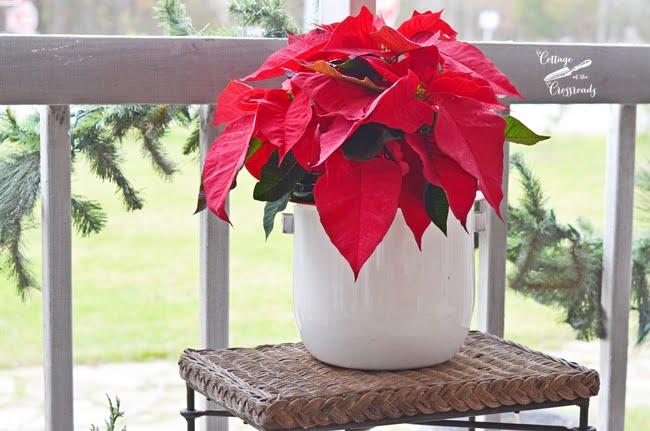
[283, 387]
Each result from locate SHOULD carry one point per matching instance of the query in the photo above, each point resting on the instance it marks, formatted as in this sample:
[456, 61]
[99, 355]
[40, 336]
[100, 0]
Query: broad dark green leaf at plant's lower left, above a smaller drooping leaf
[277, 181]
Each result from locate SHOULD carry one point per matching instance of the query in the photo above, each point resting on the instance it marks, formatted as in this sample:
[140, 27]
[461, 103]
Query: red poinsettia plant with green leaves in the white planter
[369, 120]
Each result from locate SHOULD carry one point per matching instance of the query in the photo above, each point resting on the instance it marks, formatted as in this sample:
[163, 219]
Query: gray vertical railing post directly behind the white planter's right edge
[492, 261]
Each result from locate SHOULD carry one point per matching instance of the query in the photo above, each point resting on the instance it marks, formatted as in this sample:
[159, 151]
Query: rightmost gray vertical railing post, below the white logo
[617, 266]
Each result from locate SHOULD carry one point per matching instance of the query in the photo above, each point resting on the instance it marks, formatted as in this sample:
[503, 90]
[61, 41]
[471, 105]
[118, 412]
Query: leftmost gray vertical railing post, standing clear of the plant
[57, 267]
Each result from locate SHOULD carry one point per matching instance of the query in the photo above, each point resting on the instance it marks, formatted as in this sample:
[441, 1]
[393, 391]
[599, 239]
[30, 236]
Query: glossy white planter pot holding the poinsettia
[408, 309]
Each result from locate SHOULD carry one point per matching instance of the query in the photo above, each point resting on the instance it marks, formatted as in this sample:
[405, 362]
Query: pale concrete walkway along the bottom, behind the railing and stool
[152, 393]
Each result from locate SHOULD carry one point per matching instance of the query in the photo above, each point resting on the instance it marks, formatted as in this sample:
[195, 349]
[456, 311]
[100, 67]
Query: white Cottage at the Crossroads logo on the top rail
[568, 80]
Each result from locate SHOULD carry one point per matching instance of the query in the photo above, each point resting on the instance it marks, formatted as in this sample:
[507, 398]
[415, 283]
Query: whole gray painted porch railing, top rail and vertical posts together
[58, 71]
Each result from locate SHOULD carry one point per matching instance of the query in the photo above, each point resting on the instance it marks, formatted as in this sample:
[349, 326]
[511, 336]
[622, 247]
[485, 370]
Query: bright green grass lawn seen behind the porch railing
[136, 284]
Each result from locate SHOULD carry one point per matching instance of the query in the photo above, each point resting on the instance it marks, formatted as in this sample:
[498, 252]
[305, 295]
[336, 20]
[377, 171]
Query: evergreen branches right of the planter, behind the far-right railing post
[561, 265]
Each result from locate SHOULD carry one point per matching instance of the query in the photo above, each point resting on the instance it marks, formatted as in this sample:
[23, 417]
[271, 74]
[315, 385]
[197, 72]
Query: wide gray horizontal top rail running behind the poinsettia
[188, 70]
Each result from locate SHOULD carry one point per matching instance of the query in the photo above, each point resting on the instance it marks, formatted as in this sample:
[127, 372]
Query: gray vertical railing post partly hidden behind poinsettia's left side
[214, 296]
